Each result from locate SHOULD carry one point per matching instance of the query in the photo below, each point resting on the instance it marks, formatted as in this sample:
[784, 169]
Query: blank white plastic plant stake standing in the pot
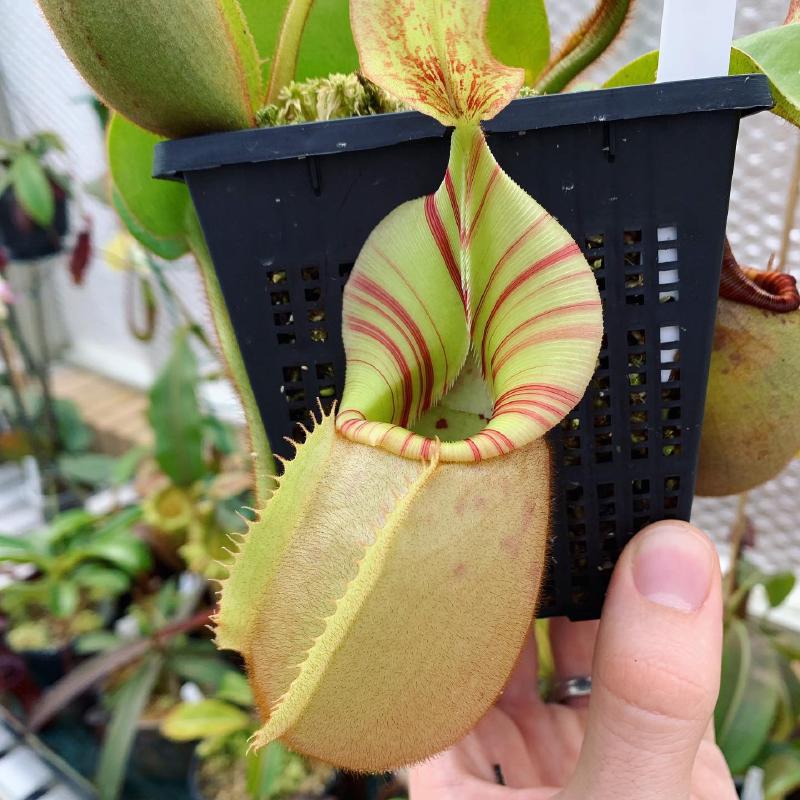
[696, 38]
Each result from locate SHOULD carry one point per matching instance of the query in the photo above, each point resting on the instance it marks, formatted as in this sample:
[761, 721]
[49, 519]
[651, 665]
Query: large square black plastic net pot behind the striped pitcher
[641, 178]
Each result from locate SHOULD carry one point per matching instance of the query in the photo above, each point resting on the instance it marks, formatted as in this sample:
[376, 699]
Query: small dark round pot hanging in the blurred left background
[22, 237]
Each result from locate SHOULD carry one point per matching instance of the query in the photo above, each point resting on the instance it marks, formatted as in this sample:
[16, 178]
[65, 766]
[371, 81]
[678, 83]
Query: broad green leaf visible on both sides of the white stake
[772, 52]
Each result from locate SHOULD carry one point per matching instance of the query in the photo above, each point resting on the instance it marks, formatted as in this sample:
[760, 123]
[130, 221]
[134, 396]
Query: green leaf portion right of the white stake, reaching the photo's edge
[775, 53]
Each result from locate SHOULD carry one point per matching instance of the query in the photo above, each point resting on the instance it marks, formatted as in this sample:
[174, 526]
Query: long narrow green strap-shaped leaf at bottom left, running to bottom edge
[129, 704]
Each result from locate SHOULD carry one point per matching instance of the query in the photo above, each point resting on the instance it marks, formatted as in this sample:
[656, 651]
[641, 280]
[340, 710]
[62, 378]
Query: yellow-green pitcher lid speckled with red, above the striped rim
[401, 51]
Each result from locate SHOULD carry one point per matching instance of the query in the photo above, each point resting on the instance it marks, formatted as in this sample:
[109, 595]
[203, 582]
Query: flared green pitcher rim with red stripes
[478, 266]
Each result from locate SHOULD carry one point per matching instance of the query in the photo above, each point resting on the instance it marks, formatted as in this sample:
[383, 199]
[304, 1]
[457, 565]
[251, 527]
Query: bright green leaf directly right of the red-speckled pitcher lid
[519, 35]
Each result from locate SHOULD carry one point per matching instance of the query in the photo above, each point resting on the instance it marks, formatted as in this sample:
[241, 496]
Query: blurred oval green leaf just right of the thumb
[749, 695]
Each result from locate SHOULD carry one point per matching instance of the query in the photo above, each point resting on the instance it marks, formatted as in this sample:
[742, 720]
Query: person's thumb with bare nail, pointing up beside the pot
[656, 669]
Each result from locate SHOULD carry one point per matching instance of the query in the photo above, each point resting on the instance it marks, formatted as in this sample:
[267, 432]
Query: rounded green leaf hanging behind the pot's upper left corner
[158, 206]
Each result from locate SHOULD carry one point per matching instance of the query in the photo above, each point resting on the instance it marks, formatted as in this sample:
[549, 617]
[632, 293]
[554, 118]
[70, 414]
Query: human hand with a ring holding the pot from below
[647, 731]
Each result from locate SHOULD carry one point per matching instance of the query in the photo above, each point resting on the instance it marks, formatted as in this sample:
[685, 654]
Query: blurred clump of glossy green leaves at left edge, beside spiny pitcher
[82, 563]
